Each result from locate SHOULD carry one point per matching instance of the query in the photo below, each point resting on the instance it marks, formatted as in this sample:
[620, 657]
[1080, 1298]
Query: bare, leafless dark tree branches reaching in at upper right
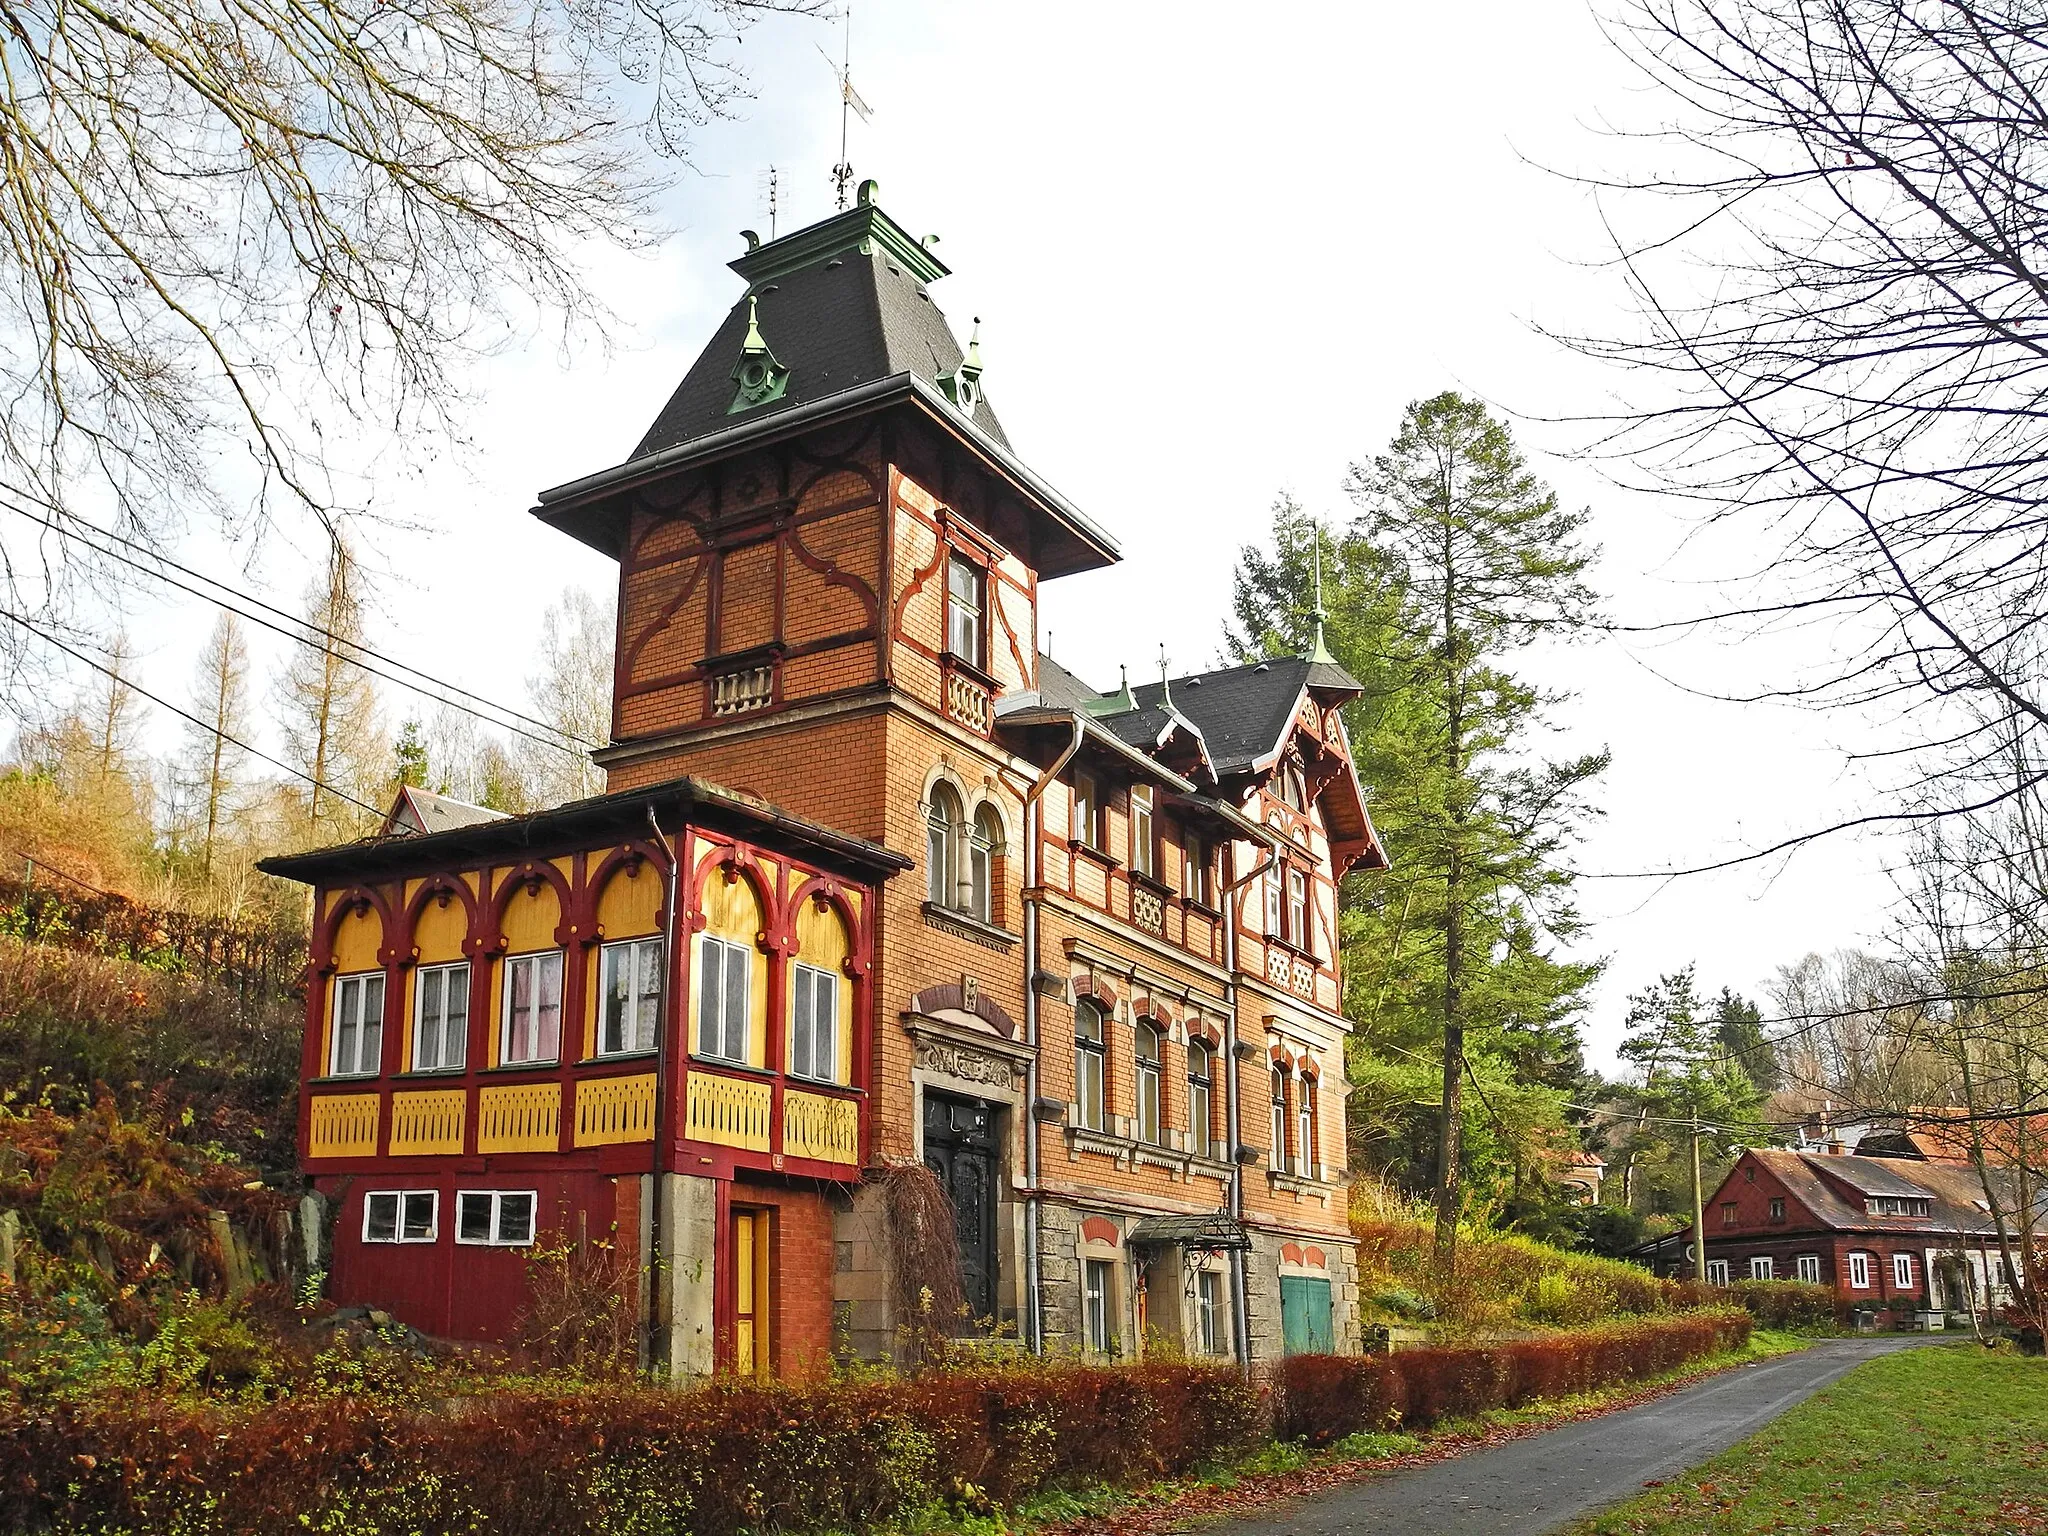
[1857, 380]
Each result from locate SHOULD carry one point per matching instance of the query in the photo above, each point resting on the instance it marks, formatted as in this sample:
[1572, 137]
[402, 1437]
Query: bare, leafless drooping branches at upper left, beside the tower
[232, 232]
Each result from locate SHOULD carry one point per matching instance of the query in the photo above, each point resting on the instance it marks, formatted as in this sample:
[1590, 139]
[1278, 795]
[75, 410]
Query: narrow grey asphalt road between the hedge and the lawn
[1545, 1482]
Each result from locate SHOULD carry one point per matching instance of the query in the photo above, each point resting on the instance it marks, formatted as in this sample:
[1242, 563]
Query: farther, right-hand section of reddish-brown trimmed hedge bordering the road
[1326, 1398]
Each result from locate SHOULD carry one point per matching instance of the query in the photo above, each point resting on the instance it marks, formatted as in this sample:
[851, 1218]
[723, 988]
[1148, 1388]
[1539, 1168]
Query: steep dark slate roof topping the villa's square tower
[841, 318]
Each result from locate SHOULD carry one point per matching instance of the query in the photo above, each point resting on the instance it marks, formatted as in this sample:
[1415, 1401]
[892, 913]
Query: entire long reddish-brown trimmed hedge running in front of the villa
[720, 1461]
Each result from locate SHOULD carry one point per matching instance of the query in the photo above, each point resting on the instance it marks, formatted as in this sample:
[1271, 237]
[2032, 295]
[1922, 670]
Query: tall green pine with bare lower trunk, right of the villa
[1486, 562]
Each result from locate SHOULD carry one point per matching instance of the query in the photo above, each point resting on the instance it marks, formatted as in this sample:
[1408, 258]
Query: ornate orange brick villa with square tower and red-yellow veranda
[925, 898]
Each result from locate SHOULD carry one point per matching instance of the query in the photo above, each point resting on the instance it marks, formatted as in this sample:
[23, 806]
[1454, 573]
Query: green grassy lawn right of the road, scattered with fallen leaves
[1926, 1441]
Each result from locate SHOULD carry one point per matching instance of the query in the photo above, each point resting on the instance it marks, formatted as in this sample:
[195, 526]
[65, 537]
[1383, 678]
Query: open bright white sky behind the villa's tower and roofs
[1215, 253]
